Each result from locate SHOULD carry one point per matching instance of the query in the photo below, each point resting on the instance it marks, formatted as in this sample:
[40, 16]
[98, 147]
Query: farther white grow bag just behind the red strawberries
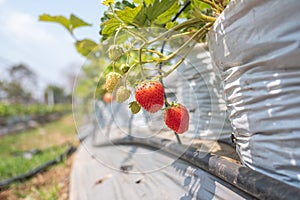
[198, 87]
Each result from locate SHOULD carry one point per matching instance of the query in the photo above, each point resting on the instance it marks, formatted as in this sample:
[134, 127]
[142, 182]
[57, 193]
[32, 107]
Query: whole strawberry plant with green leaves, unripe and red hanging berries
[134, 39]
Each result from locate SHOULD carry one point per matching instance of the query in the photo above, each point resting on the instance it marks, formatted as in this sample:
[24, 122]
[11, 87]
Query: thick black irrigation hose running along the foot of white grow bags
[251, 182]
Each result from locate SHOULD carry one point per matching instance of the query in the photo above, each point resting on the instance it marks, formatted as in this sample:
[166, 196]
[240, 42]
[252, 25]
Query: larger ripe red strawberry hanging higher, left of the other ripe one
[150, 95]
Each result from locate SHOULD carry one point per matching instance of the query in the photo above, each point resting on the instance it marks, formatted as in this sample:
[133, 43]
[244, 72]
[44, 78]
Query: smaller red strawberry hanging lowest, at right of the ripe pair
[177, 118]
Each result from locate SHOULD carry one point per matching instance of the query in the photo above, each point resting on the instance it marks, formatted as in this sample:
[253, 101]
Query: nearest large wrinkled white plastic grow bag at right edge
[256, 46]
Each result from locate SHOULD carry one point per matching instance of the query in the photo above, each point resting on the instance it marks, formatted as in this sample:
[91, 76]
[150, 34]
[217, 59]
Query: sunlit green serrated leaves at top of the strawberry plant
[151, 13]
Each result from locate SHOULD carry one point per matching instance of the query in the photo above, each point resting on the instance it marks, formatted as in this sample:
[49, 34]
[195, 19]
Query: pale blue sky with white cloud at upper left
[45, 47]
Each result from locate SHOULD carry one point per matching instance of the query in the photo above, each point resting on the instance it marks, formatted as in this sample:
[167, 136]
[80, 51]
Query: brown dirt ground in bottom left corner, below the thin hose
[51, 184]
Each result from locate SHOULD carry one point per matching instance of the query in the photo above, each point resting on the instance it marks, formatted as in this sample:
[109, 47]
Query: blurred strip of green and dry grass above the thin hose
[51, 139]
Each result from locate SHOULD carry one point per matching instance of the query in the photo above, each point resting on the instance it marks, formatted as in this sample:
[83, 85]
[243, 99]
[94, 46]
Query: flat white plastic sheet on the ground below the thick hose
[91, 179]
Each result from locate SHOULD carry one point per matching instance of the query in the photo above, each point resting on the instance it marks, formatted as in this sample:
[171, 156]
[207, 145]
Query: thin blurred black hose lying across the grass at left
[5, 183]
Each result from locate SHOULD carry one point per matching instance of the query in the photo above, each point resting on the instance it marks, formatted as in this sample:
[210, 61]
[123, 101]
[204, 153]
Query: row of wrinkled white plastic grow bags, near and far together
[248, 84]
